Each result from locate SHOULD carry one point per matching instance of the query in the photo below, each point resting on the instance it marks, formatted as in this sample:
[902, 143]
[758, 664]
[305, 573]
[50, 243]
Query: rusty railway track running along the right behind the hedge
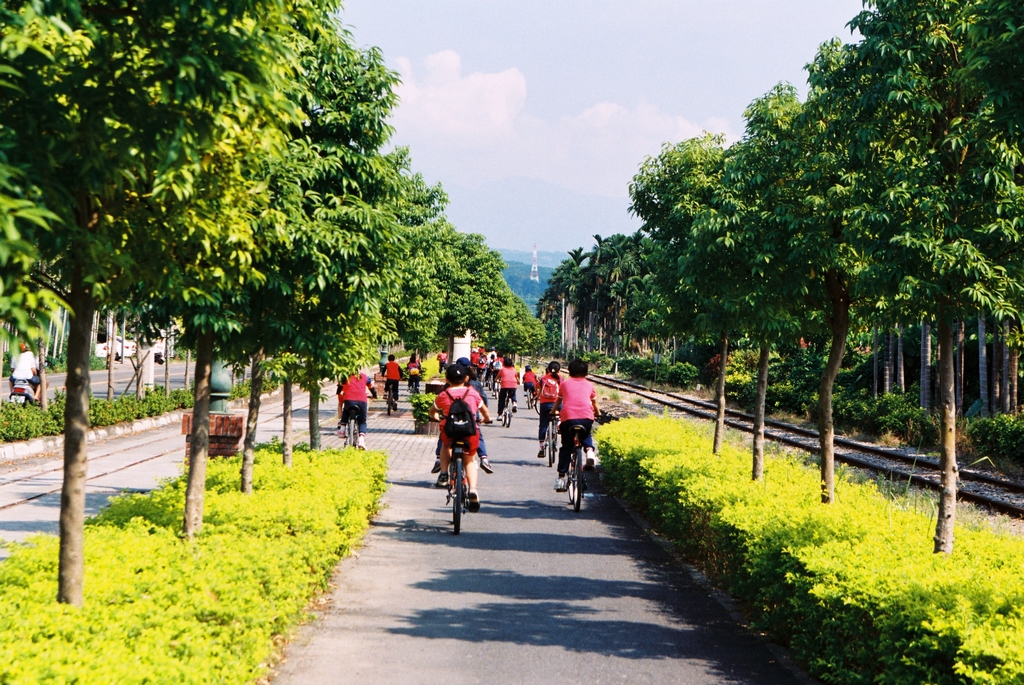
[997, 493]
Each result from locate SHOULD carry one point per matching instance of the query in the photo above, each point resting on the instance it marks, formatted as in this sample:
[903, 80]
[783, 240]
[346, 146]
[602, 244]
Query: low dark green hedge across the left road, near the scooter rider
[25, 423]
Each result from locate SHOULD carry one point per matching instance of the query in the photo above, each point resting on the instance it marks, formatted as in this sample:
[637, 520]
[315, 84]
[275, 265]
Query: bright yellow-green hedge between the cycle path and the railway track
[852, 588]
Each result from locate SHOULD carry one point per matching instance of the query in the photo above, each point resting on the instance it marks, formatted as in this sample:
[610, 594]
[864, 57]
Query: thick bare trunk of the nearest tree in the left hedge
[72, 556]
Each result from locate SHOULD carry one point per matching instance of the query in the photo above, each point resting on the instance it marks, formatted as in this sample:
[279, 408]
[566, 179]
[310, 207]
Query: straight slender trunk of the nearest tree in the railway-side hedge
[948, 496]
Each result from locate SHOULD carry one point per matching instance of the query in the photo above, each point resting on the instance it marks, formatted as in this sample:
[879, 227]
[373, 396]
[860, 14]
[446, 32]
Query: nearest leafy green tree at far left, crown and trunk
[119, 110]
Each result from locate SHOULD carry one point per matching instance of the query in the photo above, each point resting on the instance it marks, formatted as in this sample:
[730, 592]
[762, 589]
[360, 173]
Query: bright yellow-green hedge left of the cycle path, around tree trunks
[160, 610]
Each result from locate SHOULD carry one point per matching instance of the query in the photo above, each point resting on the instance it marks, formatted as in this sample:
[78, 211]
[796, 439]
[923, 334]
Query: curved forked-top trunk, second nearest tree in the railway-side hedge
[839, 324]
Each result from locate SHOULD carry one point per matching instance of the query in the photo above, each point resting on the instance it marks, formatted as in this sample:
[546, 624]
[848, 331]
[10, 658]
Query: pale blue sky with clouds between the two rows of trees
[536, 115]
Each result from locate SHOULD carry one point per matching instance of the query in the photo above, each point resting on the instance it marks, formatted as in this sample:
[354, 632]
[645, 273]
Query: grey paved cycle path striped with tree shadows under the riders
[529, 593]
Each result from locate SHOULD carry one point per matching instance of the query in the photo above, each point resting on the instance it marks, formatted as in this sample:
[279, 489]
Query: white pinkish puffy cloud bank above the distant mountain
[473, 130]
